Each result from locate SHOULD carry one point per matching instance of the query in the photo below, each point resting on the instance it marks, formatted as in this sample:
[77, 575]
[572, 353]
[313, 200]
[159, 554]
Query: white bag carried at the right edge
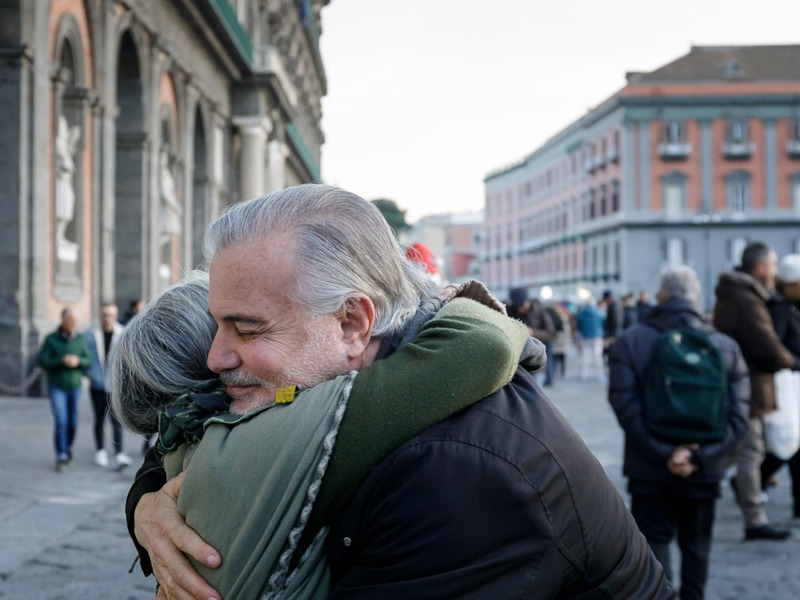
[782, 426]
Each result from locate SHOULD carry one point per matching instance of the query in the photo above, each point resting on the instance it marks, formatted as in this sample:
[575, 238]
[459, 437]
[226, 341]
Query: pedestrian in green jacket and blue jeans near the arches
[64, 356]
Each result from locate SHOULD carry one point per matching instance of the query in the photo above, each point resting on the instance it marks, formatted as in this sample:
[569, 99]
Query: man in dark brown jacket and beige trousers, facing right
[741, 312]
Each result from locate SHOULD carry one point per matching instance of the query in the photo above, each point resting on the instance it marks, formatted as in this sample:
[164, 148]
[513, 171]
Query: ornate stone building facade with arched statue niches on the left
[128, 125]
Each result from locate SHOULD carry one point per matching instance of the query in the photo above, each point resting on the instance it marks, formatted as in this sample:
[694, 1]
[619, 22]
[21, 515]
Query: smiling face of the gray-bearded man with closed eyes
[264, 341]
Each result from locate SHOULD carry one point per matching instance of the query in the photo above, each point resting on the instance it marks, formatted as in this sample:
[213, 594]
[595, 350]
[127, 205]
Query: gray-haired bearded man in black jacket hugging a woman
[502, 500]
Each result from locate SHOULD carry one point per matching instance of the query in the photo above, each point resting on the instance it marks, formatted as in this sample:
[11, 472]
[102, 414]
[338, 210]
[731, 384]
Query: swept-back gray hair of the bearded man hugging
[342, 246]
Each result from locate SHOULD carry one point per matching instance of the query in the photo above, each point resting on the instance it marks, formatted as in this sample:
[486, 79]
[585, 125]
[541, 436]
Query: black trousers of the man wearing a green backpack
[662, 518]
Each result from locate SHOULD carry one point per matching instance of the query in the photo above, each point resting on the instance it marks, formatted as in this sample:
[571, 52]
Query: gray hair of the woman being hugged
[162, 353]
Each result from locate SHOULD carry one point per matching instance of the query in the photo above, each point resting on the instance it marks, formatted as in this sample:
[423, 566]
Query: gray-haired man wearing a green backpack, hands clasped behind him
[673, 477]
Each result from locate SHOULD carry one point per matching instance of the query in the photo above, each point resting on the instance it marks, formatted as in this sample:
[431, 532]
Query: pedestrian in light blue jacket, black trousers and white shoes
[100, 339]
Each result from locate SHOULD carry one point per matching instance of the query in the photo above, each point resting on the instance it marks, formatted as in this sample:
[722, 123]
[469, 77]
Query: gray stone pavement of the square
[63, 536]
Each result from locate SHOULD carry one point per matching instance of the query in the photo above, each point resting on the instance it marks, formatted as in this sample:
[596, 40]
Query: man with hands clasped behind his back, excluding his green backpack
[674, 487]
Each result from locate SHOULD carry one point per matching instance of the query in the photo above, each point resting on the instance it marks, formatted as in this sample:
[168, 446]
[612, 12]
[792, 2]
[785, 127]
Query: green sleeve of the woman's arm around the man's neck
[464, 353]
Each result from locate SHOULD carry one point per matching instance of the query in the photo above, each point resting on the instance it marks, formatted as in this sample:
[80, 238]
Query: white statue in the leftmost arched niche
[66, 145]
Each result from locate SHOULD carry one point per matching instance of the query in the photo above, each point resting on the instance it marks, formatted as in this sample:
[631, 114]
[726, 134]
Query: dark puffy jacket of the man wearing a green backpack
[645, 456]
